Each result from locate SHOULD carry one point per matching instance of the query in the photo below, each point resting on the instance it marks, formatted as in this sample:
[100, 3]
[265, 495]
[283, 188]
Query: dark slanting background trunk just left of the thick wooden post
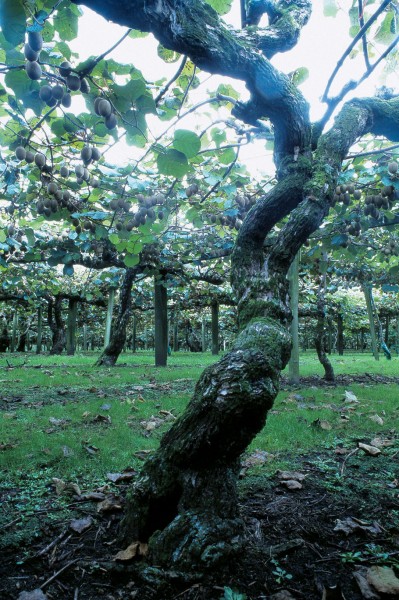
[117, 339]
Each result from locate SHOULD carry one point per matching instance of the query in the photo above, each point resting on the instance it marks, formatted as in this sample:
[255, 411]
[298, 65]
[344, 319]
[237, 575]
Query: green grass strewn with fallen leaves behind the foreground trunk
[62, 418]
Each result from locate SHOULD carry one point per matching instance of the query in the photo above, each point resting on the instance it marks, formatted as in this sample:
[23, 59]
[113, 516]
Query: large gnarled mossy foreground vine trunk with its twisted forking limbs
[185, 503]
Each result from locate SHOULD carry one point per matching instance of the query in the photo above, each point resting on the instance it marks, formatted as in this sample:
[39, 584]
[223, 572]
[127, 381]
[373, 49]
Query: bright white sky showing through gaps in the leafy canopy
[322, 43]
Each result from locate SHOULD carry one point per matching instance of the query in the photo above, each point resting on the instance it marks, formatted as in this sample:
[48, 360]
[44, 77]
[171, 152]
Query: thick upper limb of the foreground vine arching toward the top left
[194, 29]
